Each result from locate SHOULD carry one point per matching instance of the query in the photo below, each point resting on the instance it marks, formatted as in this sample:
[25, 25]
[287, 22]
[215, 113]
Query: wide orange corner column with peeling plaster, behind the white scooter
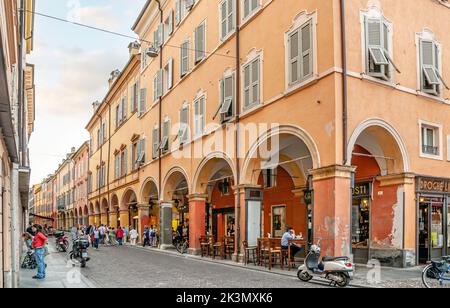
[332, 208]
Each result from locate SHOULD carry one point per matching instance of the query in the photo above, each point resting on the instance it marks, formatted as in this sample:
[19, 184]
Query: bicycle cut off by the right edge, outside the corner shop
[437, 274]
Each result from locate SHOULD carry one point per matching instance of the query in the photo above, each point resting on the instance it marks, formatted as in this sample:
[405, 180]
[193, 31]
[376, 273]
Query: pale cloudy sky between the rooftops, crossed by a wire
[72, 69]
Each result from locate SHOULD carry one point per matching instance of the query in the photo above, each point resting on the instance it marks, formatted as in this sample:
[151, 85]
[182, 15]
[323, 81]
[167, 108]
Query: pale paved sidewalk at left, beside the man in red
[60, 273]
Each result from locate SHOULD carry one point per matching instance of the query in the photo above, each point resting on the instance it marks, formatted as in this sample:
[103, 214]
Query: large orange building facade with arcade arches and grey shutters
[229, 120]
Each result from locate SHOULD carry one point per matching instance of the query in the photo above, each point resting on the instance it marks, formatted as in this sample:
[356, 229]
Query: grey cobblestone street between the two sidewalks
[133, 267]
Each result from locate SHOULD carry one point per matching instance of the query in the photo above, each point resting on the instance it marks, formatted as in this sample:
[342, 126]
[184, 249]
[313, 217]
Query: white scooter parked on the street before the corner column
[339, 271]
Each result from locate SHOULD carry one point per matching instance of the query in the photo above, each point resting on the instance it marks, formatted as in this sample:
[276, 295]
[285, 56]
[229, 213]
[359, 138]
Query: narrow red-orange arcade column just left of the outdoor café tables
[197, 222]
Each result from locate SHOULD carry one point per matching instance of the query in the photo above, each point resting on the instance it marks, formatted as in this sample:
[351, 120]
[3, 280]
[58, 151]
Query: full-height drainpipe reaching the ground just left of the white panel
[236, 145]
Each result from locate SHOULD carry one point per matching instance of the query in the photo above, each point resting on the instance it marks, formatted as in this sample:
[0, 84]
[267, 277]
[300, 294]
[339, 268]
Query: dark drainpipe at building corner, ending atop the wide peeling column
[344, 83]
